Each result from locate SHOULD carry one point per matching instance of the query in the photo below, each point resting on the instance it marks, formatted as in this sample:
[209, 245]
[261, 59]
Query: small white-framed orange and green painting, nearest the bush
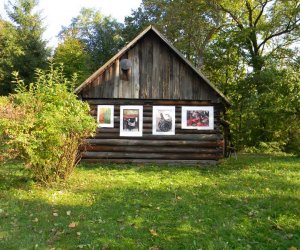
[105, 116]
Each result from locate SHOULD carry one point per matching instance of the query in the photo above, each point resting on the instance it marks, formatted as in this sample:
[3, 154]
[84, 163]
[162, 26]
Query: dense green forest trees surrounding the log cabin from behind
[248, 48]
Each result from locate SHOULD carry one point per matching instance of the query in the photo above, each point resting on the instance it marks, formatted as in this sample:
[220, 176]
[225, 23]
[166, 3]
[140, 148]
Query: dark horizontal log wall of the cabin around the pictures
[185, 147]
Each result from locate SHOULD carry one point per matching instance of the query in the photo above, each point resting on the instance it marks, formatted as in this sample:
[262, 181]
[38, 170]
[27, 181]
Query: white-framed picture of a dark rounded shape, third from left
[163, 120]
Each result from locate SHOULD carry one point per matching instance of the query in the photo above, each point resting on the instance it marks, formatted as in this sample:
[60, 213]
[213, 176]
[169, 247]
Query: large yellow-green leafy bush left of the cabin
[45, 126]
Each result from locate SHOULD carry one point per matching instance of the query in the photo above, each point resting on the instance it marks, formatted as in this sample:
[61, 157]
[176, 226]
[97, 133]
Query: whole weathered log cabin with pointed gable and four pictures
[153, 105]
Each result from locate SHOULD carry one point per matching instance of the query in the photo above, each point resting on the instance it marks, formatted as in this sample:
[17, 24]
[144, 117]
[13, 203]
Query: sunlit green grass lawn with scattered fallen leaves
[249, 203]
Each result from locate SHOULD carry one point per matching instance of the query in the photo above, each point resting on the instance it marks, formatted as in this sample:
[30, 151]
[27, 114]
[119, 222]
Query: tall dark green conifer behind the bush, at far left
[29, 29]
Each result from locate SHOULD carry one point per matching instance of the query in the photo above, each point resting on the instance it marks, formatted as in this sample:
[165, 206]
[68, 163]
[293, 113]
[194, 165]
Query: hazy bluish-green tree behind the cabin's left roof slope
[101, 35]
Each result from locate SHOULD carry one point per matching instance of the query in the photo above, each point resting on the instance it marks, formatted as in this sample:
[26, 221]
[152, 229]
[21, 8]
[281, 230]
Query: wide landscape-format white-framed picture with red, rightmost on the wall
[199, 117]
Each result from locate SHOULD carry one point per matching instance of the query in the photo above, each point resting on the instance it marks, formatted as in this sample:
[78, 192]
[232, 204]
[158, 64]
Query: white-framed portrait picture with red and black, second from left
[131, 120]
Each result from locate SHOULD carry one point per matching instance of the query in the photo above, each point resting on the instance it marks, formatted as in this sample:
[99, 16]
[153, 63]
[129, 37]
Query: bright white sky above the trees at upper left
[58, 13]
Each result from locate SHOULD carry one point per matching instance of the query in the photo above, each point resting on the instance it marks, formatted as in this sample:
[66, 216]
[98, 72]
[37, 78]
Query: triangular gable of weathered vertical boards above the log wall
[157, 72]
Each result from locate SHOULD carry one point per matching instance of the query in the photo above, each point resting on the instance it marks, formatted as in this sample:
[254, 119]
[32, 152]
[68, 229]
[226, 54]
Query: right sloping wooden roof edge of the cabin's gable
[191, 65]
